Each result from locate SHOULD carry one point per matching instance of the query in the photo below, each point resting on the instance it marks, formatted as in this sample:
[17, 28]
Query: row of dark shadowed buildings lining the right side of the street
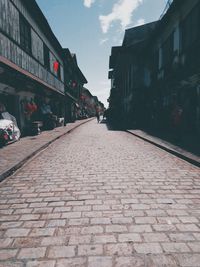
[158, 67]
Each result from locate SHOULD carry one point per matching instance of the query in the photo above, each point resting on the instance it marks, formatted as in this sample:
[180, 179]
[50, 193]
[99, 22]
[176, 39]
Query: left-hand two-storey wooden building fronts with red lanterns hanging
[36, 73]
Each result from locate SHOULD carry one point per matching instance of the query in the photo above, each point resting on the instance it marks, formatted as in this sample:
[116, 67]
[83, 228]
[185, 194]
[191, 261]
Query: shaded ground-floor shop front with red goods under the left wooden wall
[30, 100]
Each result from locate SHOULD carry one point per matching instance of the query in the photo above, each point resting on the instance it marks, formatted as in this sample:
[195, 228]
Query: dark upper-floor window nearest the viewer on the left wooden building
[25, 35]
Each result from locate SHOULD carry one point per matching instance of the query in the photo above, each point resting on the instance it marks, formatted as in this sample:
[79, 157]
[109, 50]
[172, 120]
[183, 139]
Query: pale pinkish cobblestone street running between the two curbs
[101, 198]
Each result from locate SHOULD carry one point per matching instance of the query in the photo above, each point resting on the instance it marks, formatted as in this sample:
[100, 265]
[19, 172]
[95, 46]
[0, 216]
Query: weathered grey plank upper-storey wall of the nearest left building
[10, 44]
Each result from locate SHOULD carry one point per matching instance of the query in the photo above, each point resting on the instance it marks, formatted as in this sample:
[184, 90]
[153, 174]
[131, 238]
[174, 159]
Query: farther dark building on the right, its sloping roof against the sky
[127, 75]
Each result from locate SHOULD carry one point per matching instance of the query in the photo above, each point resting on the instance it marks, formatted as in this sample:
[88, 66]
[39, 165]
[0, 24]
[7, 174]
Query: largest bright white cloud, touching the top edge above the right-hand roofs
[121, 11]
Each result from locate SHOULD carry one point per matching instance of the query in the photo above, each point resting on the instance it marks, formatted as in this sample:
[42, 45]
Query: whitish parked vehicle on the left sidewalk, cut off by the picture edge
[9, 131]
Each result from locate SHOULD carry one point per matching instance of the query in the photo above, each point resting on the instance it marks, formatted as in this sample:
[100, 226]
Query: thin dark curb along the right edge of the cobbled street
[171, 151]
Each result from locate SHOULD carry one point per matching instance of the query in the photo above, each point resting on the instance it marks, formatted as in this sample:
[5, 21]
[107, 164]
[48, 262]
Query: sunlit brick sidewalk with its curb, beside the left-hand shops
[14, 155]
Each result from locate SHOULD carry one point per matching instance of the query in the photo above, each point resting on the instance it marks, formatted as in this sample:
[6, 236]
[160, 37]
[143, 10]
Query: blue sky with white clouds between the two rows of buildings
[89, 28]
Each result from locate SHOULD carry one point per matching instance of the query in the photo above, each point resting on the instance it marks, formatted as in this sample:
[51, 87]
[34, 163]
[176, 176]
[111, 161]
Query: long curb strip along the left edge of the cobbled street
[12, 170]
